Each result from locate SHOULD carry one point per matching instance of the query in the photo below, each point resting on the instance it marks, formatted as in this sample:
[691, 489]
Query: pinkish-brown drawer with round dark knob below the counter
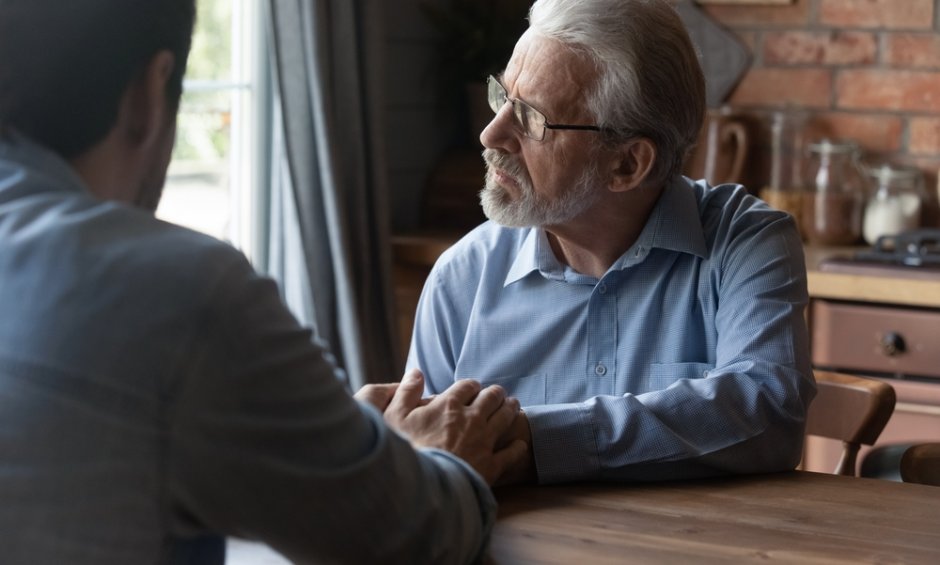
[876, 338]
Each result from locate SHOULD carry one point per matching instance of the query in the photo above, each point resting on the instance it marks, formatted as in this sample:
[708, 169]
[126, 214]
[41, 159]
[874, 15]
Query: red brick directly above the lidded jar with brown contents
[874, 132]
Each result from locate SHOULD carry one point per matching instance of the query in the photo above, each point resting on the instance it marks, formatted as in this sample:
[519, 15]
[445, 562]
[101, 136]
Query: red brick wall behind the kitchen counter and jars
[863, 69]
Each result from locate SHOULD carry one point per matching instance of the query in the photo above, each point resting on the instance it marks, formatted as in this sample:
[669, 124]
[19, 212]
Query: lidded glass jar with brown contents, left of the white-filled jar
[835, 196]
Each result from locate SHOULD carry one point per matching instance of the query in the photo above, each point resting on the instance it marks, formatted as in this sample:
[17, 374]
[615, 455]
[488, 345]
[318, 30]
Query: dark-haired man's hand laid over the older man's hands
[466, 419]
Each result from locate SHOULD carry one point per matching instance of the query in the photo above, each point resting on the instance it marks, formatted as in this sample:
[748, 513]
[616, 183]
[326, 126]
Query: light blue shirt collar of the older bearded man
[674, 224]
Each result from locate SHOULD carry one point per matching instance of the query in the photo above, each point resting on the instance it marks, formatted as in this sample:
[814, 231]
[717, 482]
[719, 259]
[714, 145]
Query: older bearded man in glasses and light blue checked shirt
[651, 326]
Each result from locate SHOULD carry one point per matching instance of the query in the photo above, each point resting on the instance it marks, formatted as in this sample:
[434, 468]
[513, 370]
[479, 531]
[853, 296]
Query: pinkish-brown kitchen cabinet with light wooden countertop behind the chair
[882, 325]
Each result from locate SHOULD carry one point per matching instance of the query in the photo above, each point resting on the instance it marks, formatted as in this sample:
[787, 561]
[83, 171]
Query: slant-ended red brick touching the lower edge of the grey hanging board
[775, 87]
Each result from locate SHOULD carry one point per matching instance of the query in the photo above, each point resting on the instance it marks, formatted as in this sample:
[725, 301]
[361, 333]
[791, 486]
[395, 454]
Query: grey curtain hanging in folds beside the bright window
[329, 229]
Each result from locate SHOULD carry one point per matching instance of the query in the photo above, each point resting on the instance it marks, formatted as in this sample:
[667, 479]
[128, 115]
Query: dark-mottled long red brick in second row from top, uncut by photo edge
[833, 48]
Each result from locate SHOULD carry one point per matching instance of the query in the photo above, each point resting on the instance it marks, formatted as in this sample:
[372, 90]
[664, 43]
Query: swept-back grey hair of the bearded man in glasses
[650, 80]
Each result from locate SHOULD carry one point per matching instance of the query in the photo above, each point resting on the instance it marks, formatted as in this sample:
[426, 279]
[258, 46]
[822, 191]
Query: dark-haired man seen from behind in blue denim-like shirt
[155, 393]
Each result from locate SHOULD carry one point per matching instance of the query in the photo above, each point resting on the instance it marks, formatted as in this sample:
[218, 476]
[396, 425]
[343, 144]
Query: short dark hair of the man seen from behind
[65, 64]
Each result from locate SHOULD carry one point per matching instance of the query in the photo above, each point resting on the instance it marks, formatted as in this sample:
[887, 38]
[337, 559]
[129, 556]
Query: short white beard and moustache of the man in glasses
[532, 209]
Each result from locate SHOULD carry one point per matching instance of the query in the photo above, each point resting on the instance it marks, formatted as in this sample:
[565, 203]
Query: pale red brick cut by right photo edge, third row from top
[916, 91]
